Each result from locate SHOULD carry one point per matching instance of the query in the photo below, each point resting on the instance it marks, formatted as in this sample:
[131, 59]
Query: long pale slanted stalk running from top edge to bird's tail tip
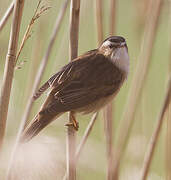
[44, 62]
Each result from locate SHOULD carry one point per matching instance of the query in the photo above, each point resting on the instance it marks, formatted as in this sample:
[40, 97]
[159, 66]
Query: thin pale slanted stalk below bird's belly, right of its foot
[84, 139]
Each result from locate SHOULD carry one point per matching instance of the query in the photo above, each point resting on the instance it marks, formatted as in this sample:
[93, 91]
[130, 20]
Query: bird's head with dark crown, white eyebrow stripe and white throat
[115, 49]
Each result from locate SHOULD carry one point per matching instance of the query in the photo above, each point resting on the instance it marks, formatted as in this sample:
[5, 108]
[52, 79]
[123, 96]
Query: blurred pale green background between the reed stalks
[129, 24]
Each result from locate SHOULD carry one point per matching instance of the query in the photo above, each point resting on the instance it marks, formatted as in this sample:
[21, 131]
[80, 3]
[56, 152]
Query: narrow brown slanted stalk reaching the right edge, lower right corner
[150, 151]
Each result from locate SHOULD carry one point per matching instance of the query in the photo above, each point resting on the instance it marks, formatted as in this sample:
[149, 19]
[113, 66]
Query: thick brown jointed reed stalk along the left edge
[9, 67]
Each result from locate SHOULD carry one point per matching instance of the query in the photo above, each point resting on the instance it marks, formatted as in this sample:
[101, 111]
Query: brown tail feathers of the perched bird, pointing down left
[39, 122]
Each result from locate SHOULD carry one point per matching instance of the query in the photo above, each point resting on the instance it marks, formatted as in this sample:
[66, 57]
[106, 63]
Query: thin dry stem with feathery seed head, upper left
[38, 12]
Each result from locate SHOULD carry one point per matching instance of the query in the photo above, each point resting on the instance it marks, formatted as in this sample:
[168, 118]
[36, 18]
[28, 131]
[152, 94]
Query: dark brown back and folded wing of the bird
[82, 82]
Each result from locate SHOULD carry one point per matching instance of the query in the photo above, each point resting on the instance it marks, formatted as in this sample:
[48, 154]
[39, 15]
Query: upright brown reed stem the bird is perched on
[71, 135]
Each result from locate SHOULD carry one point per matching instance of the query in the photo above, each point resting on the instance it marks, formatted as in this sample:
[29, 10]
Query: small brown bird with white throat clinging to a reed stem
[84, 85]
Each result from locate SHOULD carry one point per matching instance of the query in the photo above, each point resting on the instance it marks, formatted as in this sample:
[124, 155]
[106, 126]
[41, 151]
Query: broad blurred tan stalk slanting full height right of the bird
[138, 81]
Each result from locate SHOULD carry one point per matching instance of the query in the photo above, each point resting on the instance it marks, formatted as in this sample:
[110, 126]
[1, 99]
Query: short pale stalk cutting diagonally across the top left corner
[6, 15]
